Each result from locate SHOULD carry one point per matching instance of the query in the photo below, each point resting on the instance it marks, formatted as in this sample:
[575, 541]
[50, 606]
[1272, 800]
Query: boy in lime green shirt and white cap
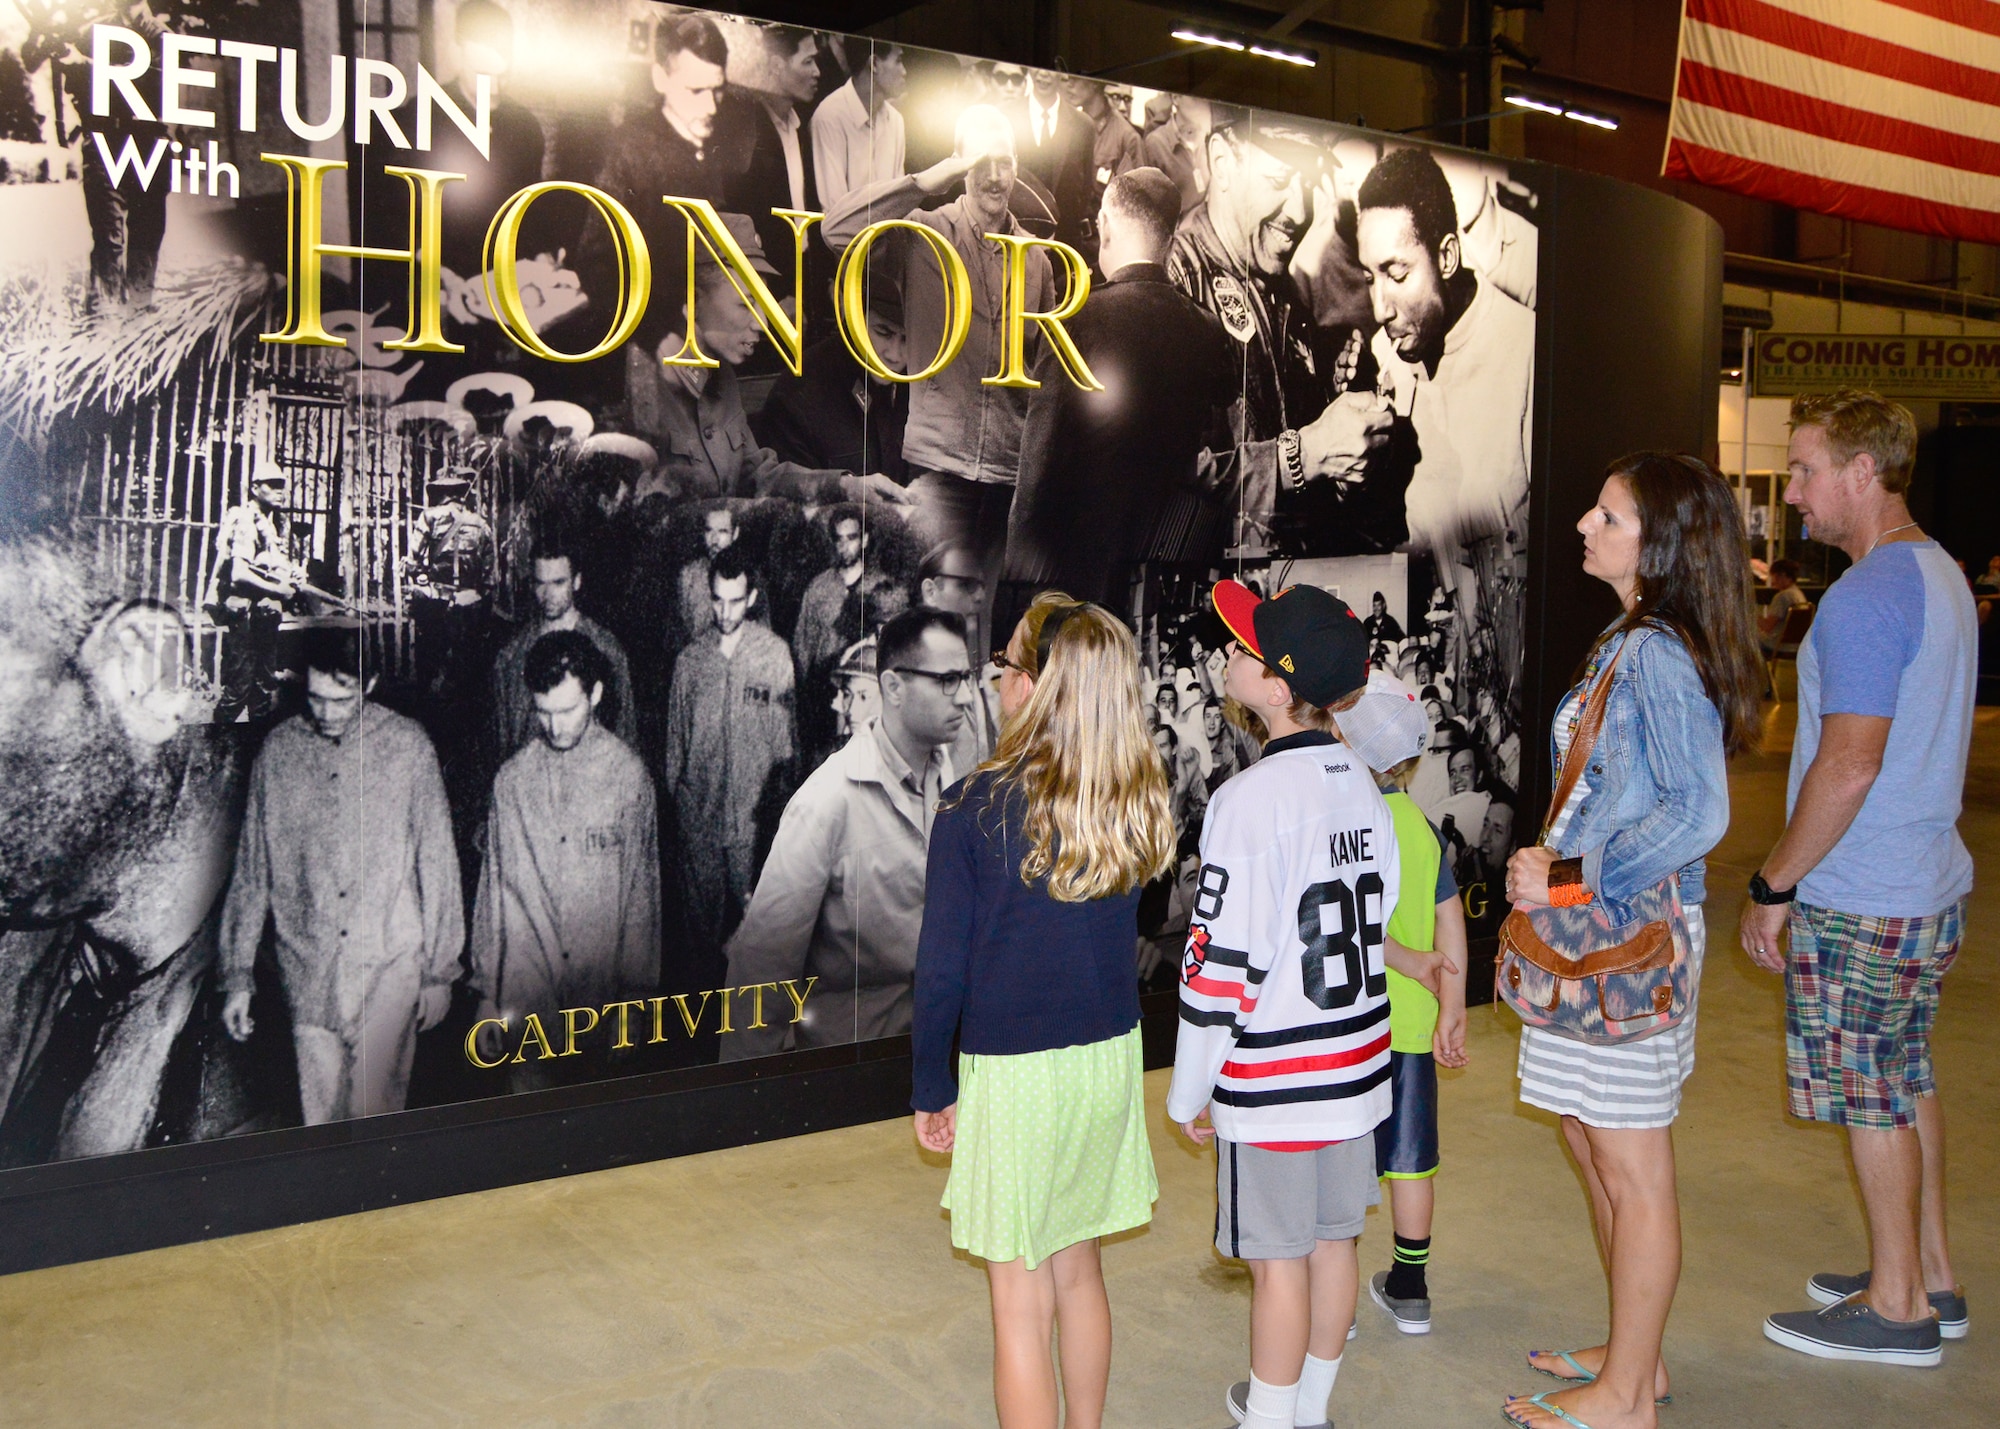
[1389, 730]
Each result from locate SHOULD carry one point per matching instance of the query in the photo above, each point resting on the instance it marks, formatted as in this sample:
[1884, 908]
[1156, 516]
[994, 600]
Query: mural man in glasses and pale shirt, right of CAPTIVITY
[843, 894]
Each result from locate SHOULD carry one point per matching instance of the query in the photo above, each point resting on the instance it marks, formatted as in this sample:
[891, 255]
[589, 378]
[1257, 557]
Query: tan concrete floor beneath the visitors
[813, 1282]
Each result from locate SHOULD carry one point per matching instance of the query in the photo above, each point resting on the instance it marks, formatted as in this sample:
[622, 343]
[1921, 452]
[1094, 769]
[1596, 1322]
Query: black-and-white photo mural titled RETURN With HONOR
[397, 728]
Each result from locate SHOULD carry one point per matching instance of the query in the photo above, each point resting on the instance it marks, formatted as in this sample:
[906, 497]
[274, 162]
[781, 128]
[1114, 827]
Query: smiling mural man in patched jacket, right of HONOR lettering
[1309, 419]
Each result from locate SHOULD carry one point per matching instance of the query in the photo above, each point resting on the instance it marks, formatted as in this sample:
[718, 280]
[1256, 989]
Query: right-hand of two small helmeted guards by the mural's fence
[451, 575]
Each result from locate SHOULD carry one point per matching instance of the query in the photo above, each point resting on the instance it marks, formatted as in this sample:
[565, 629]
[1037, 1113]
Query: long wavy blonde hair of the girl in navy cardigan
[1081, 758]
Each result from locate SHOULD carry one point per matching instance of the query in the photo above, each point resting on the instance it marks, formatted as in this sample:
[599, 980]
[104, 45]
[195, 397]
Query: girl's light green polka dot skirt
[1051, 1150]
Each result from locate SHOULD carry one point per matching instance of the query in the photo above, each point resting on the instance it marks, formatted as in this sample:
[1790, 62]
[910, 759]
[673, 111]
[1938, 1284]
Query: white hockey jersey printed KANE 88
[1283, 992]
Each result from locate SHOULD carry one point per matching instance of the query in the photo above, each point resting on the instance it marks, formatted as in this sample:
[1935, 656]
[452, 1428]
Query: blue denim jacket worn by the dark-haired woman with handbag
[1659, 788]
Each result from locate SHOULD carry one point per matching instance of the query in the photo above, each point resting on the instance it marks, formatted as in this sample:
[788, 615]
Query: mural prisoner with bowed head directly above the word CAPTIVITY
[569, 898]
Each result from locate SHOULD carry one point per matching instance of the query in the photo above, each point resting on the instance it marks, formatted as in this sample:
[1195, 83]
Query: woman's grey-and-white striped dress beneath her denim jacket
[1629, 1088]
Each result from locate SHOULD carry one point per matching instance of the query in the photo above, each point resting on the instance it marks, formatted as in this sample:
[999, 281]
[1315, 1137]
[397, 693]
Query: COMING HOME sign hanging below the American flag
[1929, 365]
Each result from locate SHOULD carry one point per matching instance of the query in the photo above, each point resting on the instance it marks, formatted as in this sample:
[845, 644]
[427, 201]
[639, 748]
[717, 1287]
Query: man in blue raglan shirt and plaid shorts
[1871, 872]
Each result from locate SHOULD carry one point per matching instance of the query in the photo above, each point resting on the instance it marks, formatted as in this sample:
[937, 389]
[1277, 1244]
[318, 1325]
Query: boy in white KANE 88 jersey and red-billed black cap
[1283, 1004]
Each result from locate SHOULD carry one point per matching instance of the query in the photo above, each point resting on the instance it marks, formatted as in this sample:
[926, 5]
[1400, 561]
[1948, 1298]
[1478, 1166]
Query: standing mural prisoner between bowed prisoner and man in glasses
[731, 746]
